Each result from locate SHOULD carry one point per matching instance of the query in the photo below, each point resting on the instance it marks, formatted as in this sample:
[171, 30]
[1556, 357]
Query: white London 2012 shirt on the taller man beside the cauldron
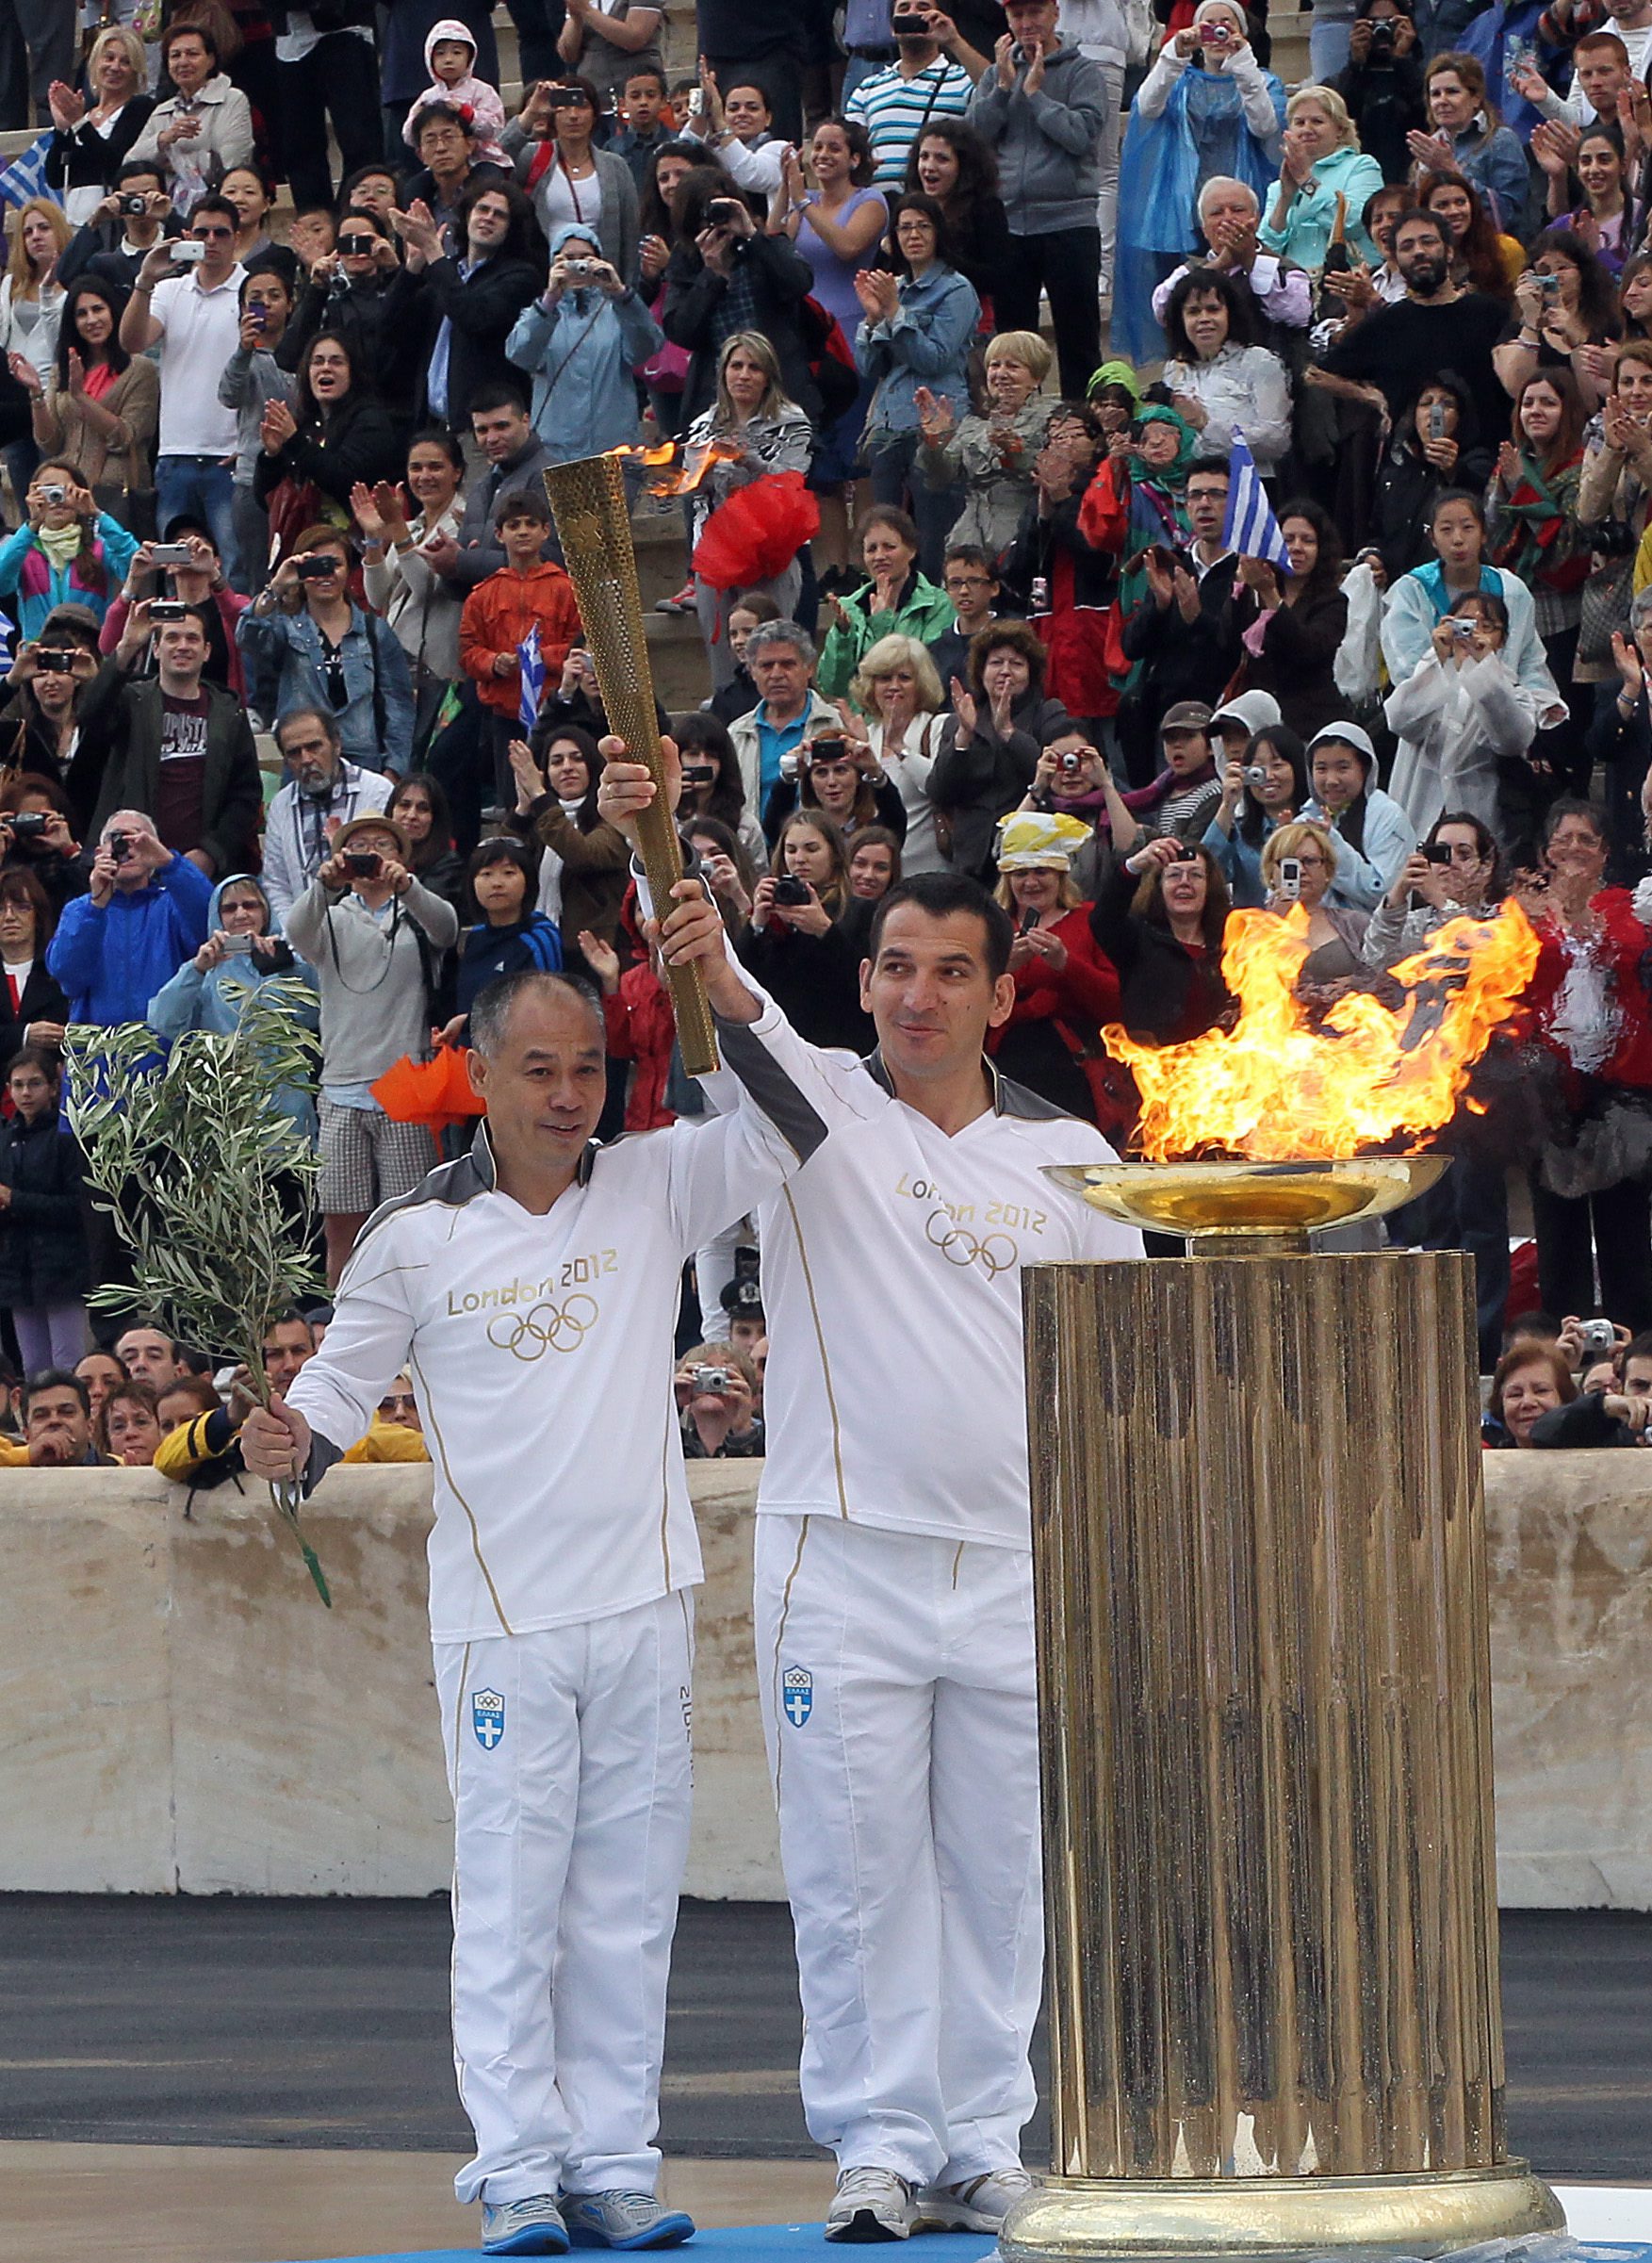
[895, 1391]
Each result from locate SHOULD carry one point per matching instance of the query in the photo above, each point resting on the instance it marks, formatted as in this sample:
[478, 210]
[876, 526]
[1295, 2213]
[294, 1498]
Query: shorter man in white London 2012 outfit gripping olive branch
[531, 1293]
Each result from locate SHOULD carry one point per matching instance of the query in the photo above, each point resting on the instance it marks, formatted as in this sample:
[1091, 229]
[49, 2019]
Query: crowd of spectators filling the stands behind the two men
[275, 461]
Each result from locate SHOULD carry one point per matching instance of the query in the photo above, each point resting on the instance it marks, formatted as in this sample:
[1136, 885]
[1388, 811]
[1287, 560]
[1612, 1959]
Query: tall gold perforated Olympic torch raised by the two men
[594, 524]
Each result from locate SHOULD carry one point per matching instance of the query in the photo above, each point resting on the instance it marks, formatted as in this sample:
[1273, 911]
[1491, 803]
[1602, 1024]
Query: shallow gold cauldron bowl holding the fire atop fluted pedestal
[1250, 1210]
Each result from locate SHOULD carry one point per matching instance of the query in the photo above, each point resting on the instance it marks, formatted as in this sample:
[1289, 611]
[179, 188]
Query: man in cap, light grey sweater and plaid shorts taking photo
[372, 936]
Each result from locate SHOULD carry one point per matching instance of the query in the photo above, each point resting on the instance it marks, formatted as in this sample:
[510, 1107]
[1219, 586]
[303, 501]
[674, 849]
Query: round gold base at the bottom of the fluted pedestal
[1275, 2219]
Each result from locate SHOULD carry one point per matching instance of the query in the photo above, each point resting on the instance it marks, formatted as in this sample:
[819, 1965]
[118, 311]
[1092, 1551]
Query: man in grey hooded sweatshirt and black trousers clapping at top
[1044, 112]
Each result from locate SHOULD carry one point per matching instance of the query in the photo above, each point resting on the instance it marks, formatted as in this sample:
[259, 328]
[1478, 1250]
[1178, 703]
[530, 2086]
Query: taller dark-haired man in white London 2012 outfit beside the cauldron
[895, 1558]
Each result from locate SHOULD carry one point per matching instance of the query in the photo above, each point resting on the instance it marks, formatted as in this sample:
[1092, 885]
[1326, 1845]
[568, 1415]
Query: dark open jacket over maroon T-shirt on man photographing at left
[121, 766]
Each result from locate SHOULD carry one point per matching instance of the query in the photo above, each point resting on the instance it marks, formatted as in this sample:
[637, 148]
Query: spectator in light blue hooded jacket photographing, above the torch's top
[583, 343]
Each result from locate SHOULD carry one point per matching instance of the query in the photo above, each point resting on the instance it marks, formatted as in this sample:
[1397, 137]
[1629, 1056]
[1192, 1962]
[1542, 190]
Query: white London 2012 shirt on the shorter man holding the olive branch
[542, 1357]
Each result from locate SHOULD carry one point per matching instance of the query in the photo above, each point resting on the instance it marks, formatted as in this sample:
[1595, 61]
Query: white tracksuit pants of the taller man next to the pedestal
[900, 1710]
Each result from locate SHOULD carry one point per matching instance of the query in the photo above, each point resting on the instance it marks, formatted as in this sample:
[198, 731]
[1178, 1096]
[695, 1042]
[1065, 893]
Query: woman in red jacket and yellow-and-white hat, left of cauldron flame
[1067, 988]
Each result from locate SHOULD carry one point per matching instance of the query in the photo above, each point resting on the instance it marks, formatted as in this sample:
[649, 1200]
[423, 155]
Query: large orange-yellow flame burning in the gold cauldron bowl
[1280, 1090]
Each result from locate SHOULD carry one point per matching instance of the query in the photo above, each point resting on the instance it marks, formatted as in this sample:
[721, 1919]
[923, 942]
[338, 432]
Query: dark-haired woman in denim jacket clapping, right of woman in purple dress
[915, 334]
